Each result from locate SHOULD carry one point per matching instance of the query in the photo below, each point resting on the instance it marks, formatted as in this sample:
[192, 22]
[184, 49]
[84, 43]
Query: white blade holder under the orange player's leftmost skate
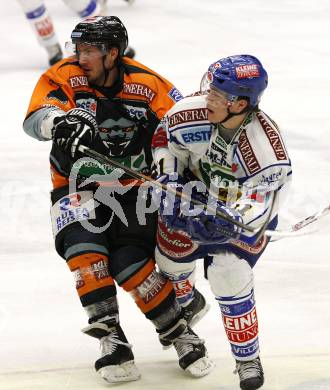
[125, 372]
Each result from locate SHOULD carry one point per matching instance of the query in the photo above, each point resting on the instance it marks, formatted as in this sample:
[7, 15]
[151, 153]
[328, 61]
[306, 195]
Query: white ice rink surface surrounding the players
[41, 346]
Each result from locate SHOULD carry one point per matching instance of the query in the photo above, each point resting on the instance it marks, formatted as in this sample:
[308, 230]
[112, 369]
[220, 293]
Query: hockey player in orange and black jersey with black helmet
[108, 102]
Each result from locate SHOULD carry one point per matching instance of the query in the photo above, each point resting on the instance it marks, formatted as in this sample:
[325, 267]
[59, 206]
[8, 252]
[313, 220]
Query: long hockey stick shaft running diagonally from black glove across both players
[147, 179]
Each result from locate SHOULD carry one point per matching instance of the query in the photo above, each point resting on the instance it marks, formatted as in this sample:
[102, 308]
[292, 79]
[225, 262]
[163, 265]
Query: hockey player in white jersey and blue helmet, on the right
[224, 151]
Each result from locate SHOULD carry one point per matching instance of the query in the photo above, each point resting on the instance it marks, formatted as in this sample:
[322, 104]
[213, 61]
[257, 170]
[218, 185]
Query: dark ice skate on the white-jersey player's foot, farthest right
[250, 373]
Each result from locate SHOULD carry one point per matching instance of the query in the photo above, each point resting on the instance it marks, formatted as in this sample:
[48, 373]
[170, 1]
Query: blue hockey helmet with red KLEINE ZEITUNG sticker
[240, 75]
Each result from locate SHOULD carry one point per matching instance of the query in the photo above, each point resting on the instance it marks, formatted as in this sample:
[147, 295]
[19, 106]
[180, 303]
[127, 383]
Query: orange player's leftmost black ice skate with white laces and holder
[116, 363]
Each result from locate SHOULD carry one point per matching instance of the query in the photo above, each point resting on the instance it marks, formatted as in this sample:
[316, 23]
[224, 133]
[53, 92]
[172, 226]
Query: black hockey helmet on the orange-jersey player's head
[106, 31]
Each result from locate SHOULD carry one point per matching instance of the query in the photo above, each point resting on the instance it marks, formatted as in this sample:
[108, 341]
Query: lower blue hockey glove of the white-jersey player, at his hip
[211, 229]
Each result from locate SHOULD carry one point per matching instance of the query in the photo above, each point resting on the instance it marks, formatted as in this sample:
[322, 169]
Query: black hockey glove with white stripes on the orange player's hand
[77, 127]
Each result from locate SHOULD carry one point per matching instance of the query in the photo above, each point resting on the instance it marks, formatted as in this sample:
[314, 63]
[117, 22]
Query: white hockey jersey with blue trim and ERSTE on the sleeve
[245, 169]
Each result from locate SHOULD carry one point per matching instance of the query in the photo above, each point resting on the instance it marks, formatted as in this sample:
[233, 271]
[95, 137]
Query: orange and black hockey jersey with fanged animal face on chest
[127, 112]
